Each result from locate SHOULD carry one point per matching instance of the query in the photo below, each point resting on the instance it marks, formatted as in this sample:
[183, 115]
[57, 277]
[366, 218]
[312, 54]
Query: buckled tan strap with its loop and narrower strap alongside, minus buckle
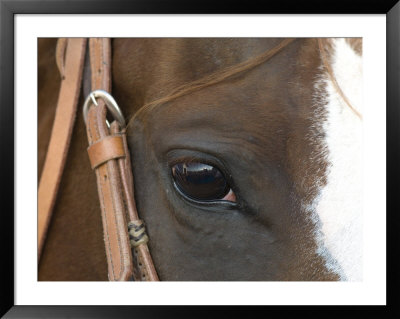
[109, 156]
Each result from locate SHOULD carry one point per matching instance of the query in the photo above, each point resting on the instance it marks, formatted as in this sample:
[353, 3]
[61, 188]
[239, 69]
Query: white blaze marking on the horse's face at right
[339, 204]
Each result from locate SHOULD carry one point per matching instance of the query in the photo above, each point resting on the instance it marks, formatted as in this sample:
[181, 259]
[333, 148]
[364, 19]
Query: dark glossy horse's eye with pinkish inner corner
[201, 182]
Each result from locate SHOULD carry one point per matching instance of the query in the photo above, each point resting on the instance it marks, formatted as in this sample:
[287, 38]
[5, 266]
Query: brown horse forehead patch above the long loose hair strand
[158, 66]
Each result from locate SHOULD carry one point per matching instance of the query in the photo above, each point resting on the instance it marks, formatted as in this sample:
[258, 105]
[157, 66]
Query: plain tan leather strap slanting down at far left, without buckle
[70, 57]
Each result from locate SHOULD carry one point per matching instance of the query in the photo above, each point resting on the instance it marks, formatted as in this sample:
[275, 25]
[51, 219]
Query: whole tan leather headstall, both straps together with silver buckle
[125, 239]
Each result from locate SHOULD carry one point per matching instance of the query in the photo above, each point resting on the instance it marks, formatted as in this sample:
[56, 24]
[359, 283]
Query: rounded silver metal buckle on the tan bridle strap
[111, 104]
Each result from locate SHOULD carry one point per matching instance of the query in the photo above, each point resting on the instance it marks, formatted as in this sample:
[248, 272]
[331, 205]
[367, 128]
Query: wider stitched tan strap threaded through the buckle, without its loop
[119, 257]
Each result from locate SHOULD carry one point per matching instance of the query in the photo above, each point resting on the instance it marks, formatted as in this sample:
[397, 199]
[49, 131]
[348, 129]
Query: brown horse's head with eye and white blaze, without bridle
[246, 157]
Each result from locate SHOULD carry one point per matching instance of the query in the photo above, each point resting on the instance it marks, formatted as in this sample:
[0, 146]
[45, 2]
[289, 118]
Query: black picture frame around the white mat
[8, 10]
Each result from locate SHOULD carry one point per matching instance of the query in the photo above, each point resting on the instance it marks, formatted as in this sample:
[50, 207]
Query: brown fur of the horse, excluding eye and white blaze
[263, 126]
